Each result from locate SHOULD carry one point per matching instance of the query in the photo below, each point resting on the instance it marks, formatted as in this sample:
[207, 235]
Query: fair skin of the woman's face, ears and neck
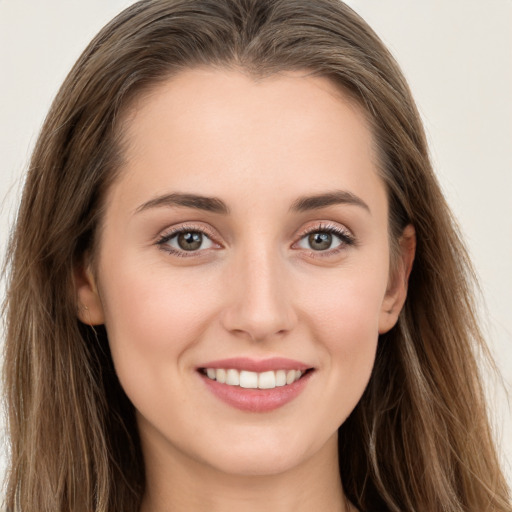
[257, 289]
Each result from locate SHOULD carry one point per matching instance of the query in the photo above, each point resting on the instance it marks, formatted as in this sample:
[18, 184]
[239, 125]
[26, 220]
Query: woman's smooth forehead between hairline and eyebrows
[214, 131]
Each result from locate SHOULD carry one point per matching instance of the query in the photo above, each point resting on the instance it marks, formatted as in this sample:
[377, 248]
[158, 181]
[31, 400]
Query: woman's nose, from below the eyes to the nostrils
[259, 302]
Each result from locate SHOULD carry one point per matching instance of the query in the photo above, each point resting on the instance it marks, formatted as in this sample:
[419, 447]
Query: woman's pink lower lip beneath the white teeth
[256, 400]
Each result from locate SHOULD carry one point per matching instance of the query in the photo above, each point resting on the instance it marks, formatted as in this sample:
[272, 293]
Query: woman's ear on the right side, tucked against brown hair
[397, 287]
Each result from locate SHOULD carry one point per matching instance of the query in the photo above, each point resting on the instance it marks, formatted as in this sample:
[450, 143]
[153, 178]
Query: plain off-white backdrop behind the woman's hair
[457, 56]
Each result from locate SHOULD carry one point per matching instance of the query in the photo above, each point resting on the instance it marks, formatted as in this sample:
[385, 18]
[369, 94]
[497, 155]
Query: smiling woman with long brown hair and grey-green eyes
[233, 272]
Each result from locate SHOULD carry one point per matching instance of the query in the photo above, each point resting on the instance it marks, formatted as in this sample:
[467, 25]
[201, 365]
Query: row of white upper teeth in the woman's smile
[254, 380]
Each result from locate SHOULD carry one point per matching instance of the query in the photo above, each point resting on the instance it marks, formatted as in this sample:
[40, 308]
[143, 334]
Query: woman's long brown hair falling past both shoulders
[419, 439]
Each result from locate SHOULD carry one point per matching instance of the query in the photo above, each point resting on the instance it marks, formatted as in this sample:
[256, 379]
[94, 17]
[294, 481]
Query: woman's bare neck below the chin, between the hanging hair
[176, 483]
